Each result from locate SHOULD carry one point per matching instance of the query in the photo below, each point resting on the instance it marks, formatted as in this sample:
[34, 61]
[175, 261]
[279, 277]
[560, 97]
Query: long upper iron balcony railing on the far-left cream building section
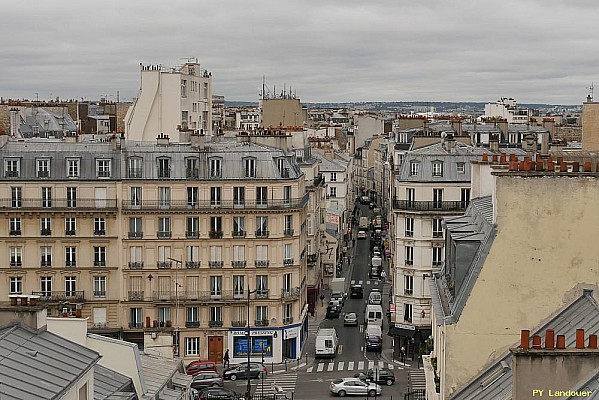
[59, 204]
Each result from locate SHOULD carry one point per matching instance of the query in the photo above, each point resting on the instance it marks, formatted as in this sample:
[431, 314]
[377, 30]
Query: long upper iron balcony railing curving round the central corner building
[204, 205]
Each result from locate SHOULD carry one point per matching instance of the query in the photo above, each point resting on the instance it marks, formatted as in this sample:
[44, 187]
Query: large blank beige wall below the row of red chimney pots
[544, 254]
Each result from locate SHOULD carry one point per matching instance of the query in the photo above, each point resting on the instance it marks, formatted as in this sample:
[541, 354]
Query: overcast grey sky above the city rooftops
[537, 51]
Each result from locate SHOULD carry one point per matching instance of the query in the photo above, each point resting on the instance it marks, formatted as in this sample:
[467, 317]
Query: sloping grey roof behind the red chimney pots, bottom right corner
[495, 383]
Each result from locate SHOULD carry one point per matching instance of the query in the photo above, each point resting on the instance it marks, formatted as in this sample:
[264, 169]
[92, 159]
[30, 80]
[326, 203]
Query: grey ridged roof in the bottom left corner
[40, 365]
